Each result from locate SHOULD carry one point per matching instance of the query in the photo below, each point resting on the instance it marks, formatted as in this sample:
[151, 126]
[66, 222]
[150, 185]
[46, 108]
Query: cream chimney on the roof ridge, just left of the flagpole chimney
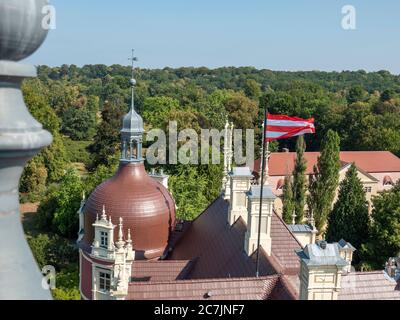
[240, 178]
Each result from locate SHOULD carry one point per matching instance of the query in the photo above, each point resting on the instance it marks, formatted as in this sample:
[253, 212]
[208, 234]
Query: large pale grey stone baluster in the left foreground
[21, 137]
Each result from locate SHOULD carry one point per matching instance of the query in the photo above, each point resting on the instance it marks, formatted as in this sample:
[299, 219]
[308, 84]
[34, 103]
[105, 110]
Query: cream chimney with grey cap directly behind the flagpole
[253, 208]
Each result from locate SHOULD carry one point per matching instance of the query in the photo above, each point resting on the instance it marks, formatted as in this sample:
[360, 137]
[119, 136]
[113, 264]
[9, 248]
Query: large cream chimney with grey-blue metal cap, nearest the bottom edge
[321, 268]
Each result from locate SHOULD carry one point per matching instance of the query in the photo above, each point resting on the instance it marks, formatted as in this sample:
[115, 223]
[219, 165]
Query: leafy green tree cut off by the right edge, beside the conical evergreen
[384, 240]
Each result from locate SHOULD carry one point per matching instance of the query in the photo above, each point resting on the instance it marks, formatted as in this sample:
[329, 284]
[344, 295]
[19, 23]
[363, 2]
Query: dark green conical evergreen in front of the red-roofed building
[349, 218]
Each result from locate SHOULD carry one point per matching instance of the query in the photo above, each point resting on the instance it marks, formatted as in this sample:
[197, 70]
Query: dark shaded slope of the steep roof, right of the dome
[217, 247]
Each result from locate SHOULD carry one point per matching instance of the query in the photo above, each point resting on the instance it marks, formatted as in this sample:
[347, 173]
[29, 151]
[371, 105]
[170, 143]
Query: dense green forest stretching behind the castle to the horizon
[82, 107]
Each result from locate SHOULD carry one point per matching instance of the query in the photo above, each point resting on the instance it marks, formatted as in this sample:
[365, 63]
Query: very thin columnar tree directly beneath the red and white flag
[299, 180]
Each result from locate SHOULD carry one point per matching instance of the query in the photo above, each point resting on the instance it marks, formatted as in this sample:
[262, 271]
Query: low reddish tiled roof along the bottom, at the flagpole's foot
[220, 289]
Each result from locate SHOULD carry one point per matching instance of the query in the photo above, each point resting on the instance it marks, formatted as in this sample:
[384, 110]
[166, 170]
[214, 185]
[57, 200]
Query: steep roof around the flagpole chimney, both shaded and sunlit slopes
[219, 248]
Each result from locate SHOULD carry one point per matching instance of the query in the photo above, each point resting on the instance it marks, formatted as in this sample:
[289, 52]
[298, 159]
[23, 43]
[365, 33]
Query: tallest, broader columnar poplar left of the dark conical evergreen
[324, 180]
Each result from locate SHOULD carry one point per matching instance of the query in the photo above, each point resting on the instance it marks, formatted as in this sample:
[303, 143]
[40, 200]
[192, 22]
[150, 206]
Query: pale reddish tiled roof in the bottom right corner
[374, 285]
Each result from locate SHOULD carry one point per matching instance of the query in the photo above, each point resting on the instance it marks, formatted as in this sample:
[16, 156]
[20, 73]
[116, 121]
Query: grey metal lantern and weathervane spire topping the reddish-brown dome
[132, 127]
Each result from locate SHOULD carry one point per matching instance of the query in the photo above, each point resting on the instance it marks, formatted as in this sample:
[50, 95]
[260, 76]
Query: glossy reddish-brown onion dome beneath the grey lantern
[147, 208]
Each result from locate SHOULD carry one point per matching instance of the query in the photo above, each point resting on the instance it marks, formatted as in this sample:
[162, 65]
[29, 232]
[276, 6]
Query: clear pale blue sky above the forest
[277, 35]
